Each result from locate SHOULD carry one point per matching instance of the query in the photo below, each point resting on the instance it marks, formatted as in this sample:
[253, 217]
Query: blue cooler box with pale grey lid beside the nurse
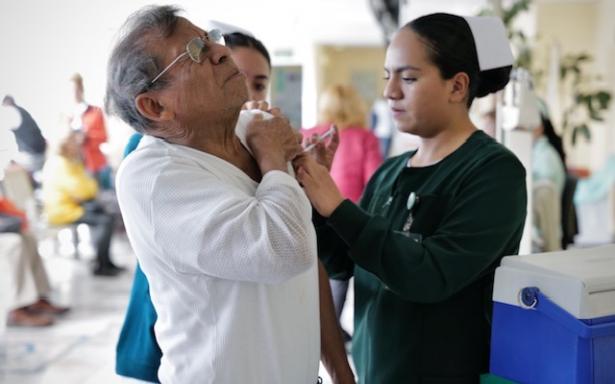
[554, 317]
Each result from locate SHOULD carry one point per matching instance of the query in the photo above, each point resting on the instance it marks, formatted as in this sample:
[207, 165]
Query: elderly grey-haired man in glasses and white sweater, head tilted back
[222, 231]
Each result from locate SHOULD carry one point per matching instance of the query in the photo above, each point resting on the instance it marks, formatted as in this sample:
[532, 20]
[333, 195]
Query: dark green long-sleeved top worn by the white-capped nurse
[424, 270]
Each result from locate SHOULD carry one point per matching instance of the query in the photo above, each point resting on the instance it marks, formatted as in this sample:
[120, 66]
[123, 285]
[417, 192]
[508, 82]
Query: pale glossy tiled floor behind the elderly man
[80, 347]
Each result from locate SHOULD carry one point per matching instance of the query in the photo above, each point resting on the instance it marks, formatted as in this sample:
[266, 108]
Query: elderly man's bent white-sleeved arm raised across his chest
[205, 224]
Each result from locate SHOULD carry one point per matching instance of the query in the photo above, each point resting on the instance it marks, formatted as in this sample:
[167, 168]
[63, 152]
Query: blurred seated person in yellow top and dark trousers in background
[69, 197]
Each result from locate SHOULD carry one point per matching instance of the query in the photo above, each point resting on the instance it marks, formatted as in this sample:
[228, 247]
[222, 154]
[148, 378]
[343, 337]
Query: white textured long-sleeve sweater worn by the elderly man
[231, 265]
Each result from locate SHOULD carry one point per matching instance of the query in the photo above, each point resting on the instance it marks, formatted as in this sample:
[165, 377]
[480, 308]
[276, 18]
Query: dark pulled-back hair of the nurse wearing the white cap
[450, 46]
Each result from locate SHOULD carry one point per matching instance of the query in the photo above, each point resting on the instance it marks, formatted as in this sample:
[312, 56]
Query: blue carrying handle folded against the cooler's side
[532, 298]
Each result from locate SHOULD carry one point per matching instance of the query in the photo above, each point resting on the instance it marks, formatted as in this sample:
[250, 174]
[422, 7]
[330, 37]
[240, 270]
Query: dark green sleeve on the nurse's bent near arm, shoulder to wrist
[484, 220]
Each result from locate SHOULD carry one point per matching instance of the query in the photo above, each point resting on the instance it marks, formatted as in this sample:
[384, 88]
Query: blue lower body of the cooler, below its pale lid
[540, 343]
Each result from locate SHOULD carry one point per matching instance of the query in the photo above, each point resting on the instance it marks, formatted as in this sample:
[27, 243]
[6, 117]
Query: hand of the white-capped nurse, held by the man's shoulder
[318, 184]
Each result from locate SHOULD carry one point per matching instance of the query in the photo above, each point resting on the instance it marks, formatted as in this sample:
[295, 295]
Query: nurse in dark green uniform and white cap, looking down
[433, 223]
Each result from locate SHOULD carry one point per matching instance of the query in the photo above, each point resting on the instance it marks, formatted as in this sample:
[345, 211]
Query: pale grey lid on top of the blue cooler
[582, 281]
